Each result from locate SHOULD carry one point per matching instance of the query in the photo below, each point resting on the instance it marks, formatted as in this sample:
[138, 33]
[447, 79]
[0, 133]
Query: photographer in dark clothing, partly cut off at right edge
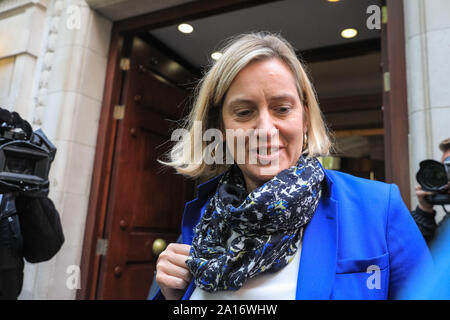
[424, 215]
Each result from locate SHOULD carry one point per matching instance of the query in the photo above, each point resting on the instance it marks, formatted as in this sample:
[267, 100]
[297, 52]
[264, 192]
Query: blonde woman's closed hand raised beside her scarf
[172, 273]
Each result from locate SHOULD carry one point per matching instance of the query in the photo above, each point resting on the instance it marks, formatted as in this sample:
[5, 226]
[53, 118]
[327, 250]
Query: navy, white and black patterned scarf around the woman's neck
[267, 222]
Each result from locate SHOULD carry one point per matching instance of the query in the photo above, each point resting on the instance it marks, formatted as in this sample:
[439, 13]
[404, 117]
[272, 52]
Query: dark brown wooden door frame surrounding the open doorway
[396, 122]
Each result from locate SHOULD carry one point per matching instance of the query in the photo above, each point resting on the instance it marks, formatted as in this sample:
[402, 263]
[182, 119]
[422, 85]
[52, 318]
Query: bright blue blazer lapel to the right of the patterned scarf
[319, 251]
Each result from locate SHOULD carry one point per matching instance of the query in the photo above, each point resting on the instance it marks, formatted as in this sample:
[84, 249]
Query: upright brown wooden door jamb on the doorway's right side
[395, 99]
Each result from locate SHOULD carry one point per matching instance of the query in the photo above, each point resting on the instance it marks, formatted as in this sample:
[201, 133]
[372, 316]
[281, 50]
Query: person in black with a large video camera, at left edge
[30, 226]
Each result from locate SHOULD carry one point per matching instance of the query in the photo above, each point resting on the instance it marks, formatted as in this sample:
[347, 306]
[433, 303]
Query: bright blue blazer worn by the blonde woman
[362, 242]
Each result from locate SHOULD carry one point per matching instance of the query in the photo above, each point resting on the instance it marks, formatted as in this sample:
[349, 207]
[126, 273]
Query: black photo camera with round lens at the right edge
[435, 177]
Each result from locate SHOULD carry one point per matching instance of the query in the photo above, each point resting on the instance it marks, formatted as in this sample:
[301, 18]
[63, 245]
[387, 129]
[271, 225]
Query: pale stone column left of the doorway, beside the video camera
[68, 102]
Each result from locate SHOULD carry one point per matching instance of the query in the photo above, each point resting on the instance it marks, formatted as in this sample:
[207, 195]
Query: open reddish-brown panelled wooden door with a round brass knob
[146, 201]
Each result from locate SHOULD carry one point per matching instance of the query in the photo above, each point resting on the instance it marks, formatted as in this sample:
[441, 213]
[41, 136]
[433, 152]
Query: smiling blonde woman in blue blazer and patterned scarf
[272, 223]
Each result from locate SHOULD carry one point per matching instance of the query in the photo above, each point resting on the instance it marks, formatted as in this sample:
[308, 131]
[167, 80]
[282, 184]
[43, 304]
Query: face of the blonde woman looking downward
[263, 98]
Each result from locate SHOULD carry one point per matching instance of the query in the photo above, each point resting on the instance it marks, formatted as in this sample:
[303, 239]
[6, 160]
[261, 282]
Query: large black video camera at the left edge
[25, 161]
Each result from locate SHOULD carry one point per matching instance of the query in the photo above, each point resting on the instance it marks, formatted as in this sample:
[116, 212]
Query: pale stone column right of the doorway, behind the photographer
[427, 33]
